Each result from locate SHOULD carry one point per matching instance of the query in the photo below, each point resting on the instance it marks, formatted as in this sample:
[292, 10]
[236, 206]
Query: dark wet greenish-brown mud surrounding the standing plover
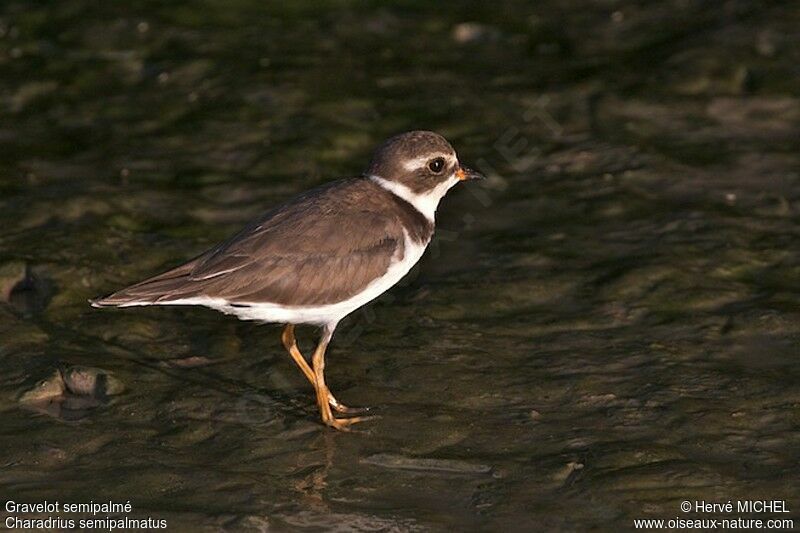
[606, 329]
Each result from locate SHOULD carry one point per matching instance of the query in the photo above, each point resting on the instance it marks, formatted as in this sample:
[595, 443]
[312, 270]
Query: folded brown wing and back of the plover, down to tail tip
[319, 248]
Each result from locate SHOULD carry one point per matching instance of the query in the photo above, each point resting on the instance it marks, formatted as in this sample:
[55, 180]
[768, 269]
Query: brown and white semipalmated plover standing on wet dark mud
[322, 255]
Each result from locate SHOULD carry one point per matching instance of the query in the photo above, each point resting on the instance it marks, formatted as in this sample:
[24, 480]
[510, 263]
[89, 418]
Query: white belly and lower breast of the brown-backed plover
[318, 315]
